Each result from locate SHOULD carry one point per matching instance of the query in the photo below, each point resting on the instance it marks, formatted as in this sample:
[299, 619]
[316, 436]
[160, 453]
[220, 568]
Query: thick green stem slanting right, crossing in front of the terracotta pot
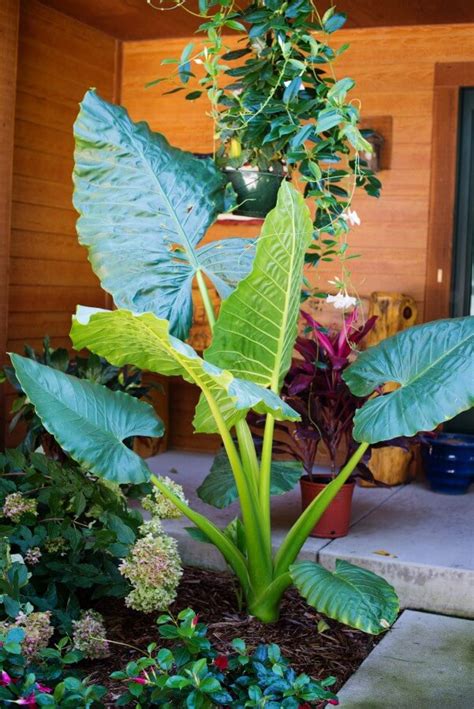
[299, 532]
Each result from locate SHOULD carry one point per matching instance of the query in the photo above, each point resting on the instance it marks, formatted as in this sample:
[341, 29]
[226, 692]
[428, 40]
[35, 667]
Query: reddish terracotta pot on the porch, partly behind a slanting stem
[336, 519]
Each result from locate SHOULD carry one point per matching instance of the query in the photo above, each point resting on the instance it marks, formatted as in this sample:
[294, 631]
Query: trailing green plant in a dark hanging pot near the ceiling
[277, 107]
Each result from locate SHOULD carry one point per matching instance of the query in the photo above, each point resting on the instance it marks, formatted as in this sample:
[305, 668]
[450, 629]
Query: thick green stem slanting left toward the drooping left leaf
[228, 550]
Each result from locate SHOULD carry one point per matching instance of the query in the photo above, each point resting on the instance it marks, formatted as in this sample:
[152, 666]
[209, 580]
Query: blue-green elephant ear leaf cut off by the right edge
[433, 363]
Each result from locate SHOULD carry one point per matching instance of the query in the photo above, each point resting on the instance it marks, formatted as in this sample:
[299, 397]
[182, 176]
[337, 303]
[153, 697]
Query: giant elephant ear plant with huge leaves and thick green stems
[242, 371]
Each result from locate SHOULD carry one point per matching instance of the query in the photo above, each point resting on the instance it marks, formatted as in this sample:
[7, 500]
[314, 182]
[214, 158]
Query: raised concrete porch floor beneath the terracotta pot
[420, 541]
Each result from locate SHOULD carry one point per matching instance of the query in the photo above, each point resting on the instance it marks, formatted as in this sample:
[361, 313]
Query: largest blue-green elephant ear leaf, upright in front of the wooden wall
[144, 208]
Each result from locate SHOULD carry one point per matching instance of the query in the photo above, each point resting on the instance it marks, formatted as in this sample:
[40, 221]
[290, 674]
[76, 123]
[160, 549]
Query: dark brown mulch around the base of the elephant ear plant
[338, 651]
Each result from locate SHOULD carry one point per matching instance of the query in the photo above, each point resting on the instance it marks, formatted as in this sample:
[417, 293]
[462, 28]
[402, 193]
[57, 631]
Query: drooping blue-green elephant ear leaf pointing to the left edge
[89, 421]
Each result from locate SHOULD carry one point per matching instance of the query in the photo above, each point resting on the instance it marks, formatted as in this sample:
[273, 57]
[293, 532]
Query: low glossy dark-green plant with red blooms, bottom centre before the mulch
[193, 674]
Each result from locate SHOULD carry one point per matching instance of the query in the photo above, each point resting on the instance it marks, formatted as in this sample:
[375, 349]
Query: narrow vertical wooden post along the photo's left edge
[9, 20]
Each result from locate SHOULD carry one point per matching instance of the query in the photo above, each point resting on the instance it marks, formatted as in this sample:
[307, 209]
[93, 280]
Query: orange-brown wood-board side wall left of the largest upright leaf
[58, 60]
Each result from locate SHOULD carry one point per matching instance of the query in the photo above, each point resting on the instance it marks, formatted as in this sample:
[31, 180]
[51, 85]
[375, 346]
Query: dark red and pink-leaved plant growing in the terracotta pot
[314, 387]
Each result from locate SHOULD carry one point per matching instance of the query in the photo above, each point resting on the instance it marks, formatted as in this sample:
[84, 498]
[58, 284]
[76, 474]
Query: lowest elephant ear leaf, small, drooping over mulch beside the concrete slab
[351, 595]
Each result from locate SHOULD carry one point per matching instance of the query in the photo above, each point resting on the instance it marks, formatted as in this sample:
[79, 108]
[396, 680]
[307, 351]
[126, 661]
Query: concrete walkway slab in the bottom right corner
[424, 662]
